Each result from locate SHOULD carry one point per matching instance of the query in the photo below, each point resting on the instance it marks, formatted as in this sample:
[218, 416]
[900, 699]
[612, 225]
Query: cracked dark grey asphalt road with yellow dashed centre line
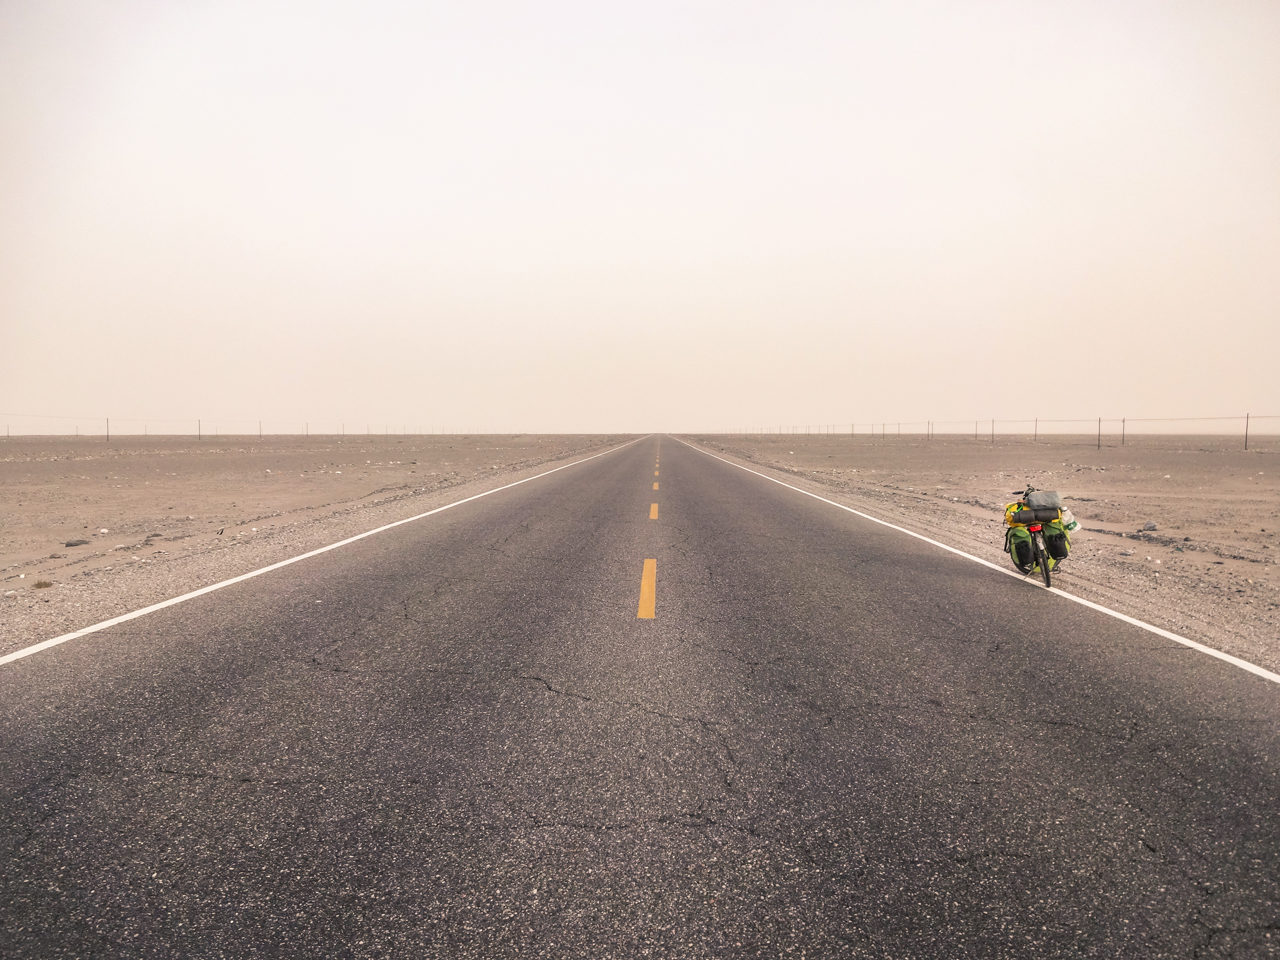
[459, 739]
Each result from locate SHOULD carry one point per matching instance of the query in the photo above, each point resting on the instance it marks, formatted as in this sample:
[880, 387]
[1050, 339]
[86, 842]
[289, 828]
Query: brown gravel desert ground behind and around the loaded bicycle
[1180, 532]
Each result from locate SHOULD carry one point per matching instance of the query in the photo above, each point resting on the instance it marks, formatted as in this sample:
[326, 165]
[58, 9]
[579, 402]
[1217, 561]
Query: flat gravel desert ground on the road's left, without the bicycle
[92, 529]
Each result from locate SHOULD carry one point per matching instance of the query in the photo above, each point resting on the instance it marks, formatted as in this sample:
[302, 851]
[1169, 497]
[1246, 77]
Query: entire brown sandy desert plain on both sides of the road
[164, 516]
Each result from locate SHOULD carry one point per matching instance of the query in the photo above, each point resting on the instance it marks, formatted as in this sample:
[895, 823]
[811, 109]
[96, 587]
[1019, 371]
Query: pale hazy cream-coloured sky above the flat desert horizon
[637, 217]
